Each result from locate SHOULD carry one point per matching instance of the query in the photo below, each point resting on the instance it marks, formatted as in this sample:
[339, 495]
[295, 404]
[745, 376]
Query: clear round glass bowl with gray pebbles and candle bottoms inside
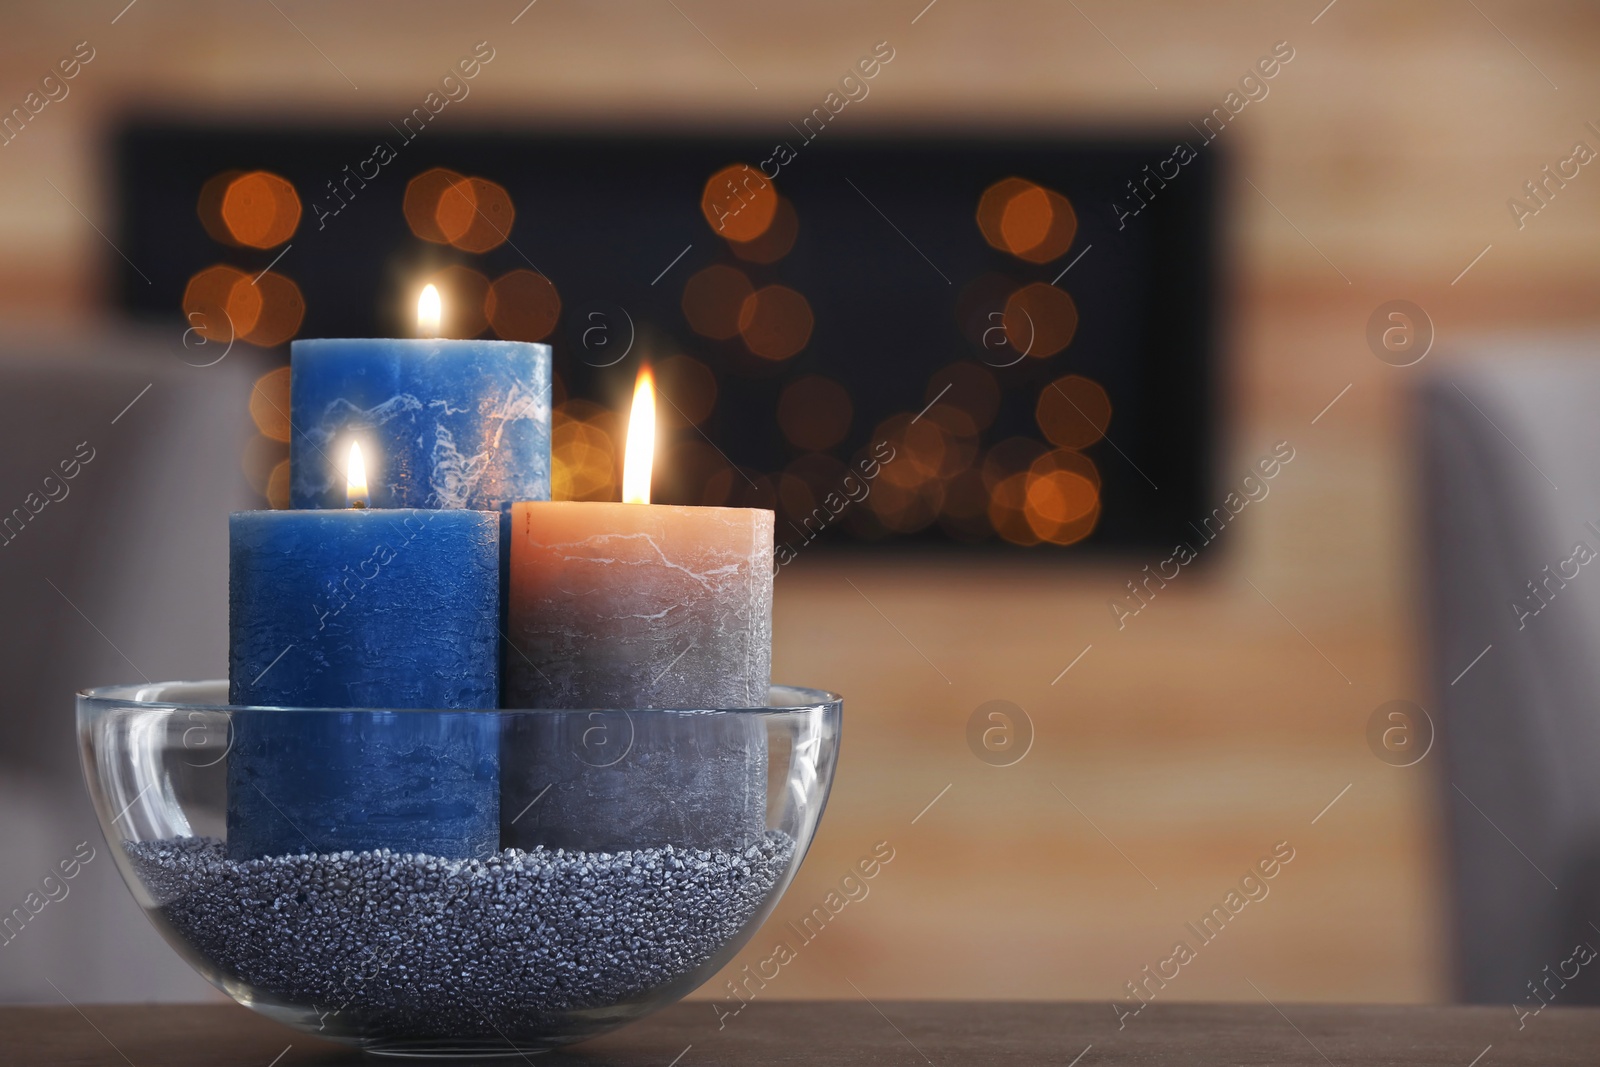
[455, 884]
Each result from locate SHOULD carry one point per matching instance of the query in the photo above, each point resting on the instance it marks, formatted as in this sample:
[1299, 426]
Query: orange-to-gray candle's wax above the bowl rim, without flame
[618, 605]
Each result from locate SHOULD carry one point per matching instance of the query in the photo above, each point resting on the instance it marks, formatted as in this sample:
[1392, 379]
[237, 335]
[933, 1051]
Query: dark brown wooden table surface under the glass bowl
[844, 1034]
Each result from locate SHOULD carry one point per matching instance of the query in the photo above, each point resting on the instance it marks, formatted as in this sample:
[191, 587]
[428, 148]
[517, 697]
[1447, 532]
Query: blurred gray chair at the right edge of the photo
[1510, 489]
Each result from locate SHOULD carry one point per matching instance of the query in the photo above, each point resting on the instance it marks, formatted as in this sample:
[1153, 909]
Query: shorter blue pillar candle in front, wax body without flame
[364, 609]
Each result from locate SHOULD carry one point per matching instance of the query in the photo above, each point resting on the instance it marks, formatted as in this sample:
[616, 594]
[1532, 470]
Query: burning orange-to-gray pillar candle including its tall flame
[636, 605]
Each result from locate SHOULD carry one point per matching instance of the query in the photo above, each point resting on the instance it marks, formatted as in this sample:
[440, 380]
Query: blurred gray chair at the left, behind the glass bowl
[124, 575]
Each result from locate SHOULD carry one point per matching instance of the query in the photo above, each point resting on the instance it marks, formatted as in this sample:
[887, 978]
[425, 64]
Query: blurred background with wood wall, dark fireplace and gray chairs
[1332, 287]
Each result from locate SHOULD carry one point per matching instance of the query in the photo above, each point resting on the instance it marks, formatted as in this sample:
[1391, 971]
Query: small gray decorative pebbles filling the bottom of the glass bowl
[417, 946]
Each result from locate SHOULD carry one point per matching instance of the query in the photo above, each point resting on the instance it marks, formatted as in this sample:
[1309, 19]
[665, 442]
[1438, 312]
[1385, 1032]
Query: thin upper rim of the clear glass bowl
[785, 700]
